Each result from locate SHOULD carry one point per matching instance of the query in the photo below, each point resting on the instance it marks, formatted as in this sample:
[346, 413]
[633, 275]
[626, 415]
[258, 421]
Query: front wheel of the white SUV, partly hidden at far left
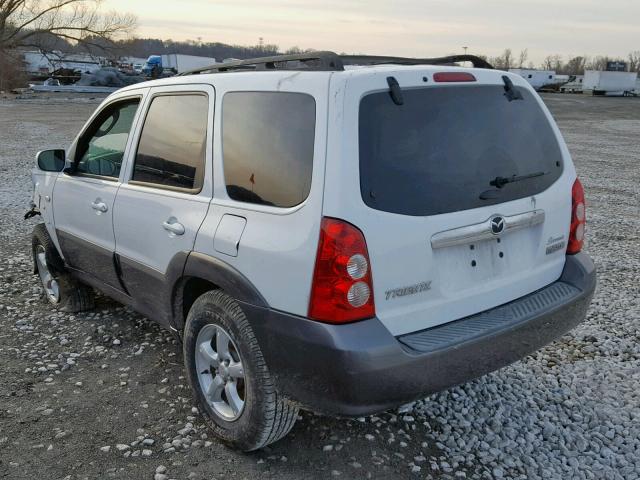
[60, 288]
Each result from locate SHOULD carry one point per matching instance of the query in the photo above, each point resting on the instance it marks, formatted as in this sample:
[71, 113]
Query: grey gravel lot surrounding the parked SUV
[102, 394]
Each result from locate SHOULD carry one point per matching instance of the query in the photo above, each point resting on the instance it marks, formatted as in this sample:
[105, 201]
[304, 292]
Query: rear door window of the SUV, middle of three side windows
[171, 151]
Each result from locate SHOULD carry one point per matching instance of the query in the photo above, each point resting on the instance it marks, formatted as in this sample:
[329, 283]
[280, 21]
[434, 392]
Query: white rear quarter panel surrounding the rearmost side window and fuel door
[278, 246]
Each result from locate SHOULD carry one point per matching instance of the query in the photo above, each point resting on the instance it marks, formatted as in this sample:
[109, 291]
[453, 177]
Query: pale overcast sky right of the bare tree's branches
[401, 27]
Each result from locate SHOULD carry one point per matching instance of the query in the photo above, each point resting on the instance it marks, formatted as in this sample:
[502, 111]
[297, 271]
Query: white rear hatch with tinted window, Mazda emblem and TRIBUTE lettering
[444, 242]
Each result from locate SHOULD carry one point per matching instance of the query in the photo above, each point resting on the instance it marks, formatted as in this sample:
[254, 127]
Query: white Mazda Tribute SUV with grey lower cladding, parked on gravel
[340, 234]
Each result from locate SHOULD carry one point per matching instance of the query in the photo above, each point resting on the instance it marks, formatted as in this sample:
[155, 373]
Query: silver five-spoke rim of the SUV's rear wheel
[220, 372]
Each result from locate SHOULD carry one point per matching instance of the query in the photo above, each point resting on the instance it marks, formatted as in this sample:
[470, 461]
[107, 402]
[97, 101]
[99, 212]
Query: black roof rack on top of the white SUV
[330, 62]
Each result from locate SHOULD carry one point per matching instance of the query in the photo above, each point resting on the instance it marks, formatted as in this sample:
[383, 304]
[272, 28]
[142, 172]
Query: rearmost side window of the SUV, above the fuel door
[268, 144]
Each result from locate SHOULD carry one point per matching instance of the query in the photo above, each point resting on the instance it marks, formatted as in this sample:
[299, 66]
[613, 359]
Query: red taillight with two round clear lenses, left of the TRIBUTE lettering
[342, 290]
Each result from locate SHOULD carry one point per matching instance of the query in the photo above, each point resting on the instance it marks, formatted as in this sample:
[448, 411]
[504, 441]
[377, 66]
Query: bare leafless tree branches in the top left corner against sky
[35, 23]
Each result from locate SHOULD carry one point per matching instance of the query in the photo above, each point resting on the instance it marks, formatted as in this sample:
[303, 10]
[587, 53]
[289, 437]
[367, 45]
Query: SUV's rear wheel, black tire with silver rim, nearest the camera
[265, 416]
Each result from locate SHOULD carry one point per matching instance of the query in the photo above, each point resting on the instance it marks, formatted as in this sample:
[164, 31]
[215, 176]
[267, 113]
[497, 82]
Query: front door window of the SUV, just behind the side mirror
[101, 149]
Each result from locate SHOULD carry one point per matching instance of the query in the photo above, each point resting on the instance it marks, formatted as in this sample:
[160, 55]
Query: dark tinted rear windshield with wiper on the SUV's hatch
[439, 151]
